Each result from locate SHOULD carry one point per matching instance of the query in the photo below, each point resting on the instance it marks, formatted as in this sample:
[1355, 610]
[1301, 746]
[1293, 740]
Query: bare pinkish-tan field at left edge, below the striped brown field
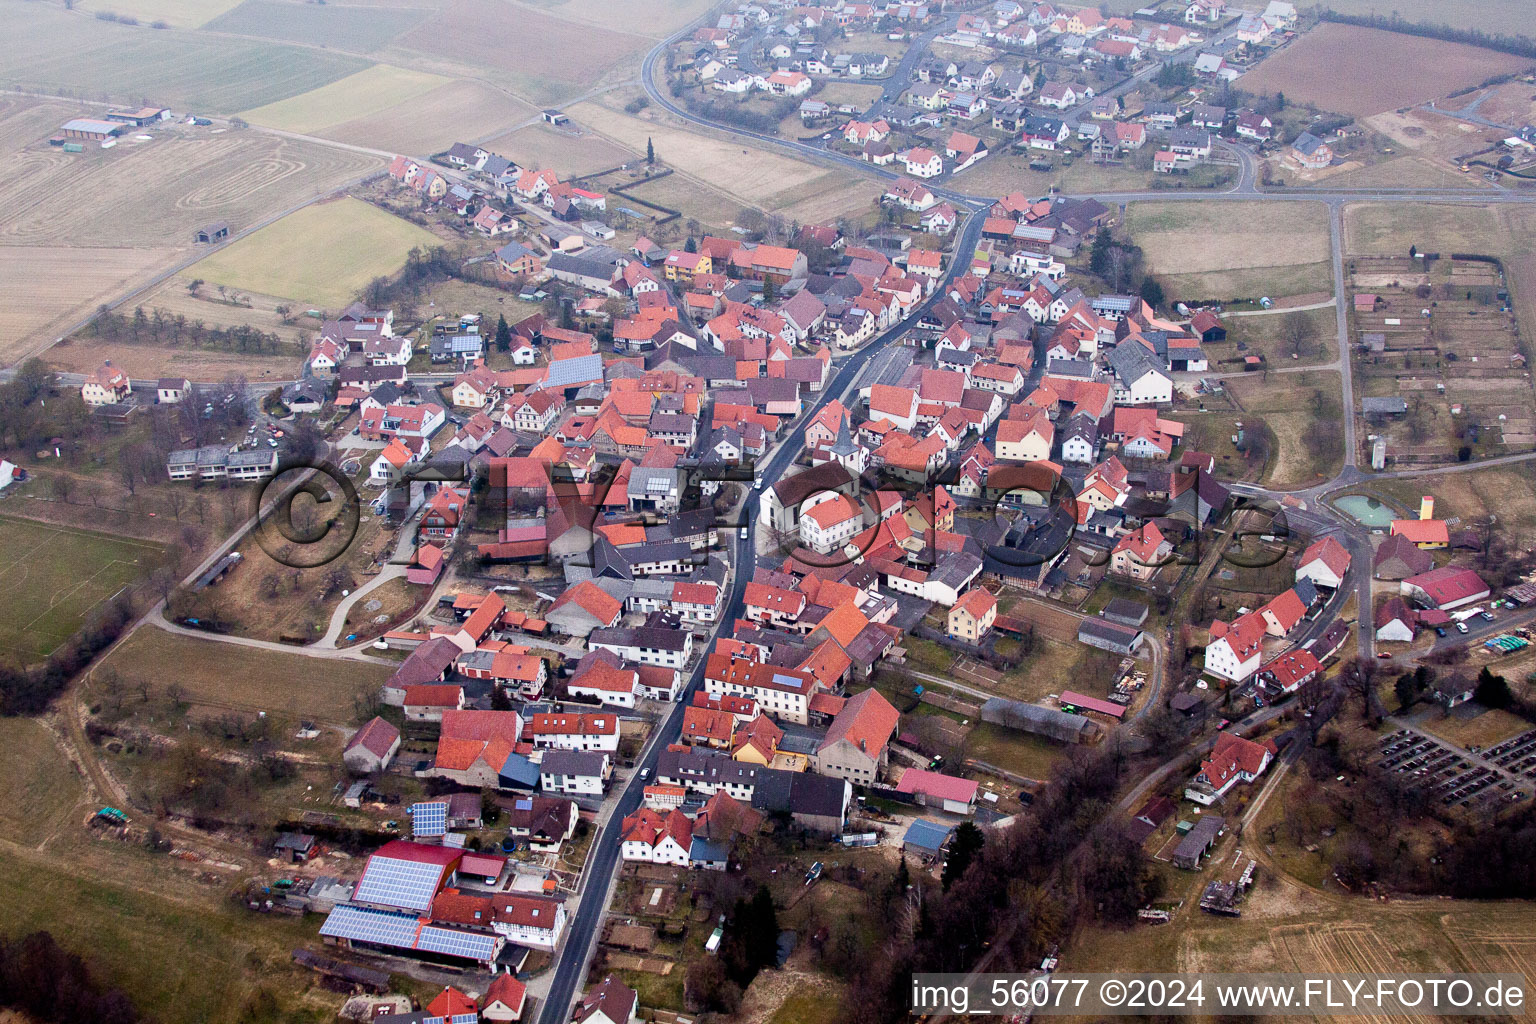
[62, 286]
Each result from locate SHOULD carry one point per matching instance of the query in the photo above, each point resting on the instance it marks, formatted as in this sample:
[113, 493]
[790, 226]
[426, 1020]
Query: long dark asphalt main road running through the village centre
[603, 862]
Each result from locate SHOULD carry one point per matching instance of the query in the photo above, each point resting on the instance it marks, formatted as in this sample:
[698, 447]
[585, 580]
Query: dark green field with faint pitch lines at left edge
[55, 576]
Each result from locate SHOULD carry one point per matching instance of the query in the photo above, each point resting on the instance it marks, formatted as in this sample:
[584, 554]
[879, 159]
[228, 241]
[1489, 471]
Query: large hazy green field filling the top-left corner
[53, 51]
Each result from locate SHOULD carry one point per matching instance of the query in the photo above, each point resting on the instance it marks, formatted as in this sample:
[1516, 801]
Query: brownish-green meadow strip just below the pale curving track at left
[230, 676]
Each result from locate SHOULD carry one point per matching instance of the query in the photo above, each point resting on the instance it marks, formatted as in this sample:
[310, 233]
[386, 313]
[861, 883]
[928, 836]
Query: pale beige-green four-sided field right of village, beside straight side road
[1234, 249]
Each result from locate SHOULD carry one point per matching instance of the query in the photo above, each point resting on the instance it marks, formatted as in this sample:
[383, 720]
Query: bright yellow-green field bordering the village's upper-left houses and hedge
[322, 256]
